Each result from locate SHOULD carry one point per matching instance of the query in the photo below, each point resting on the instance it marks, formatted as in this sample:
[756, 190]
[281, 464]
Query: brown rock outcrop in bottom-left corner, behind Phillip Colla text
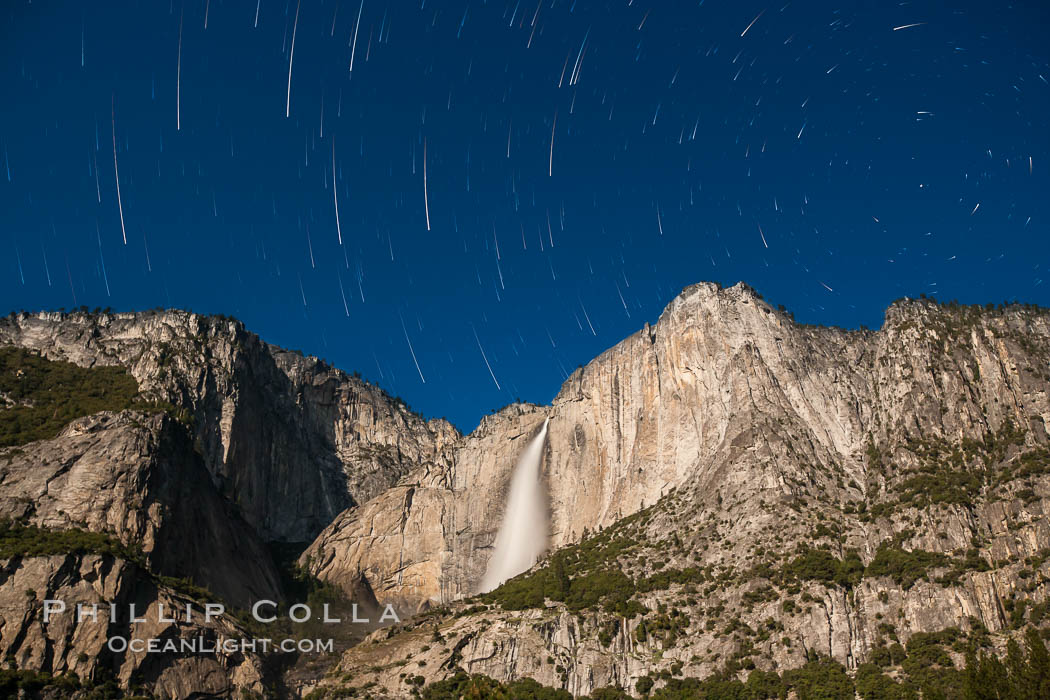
[99, 649]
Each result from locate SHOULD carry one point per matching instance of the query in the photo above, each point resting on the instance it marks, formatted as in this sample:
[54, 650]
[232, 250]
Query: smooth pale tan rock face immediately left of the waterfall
[429, 539]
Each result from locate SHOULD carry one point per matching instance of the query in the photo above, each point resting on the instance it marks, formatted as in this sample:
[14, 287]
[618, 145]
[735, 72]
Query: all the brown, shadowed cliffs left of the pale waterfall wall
[268, 446]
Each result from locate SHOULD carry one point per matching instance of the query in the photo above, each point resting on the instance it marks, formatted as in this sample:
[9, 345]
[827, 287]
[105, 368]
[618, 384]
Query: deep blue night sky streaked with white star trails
[857, 151]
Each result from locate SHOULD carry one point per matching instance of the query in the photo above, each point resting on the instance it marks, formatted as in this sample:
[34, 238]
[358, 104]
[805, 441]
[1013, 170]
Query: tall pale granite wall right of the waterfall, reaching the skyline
[722, 371]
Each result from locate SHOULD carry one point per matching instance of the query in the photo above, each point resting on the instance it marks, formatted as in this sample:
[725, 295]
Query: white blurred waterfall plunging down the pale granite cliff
[523, 534]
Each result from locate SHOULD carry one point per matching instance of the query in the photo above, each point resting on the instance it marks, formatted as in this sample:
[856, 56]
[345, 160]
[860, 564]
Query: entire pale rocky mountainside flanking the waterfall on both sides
[752, 435]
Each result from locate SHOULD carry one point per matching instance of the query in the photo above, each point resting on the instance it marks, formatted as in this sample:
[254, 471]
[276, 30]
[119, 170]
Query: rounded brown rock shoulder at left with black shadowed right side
[135, 476]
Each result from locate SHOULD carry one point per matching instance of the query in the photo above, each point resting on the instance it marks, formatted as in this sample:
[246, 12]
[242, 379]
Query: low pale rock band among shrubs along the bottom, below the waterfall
[563, 649]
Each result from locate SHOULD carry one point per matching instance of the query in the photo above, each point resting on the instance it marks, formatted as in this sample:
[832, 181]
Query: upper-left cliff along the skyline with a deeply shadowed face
[288, 439]
